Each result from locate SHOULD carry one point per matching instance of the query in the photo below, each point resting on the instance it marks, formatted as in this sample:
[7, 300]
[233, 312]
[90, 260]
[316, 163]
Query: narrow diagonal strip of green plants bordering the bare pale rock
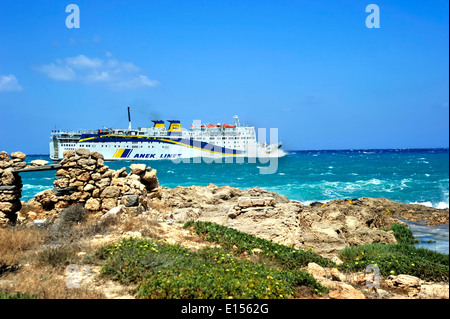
[238, 242]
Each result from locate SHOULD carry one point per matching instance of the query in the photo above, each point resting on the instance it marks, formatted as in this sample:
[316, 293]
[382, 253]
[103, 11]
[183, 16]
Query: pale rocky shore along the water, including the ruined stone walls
[325, 228]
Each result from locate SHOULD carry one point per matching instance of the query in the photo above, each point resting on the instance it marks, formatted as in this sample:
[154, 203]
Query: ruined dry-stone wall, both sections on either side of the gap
[82, 179]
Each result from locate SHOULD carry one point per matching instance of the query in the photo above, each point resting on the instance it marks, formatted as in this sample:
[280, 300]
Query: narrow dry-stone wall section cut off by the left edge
[10, 186]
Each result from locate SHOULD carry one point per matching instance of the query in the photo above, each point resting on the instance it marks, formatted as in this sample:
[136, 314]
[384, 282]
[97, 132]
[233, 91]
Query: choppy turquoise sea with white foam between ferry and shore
[419, 176]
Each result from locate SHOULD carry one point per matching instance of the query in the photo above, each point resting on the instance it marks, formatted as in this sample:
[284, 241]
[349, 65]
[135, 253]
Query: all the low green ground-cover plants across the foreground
[246, 267]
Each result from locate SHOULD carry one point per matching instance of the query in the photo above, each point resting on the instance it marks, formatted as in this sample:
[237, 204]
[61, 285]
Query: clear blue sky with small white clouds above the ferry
[312, 69]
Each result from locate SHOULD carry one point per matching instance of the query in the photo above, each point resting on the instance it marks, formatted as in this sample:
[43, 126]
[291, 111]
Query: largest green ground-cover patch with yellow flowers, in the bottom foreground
[171, 271]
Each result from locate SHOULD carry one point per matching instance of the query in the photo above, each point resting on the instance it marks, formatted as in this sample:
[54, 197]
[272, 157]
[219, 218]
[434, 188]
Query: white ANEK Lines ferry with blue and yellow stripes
[158, 142]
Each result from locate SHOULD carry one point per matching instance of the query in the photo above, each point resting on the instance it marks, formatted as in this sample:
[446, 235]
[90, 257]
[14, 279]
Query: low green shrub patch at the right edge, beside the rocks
[400, 258]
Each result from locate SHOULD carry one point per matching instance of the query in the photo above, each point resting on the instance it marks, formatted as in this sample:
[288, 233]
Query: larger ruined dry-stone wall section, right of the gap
[85, 179]
